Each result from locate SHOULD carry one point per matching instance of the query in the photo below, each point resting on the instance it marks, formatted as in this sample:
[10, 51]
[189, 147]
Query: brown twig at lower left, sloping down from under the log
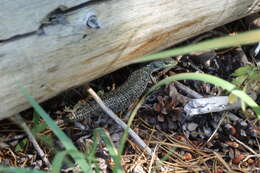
[20, 122]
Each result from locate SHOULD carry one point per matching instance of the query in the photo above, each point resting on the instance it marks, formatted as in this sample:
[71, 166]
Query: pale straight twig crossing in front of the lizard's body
[112, 115]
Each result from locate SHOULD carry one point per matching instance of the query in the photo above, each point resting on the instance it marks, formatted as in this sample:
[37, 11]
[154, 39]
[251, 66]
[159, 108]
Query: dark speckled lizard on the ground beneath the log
[121, 98]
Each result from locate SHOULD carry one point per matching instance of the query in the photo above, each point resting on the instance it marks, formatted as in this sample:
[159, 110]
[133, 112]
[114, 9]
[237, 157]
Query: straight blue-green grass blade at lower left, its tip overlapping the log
[59, 133]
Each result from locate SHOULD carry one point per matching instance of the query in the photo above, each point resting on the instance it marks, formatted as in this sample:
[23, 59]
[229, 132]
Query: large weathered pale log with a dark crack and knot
[47, 47]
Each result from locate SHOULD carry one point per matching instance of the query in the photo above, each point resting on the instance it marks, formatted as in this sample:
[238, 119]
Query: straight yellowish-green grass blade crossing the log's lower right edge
[218, 43]
